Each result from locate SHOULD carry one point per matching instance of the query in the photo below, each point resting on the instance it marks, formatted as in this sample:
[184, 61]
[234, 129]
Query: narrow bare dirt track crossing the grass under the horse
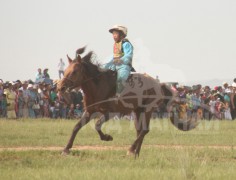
[102, 148]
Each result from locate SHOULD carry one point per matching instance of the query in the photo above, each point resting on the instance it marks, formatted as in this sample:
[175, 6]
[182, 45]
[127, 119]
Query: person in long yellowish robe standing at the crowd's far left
[11, 97]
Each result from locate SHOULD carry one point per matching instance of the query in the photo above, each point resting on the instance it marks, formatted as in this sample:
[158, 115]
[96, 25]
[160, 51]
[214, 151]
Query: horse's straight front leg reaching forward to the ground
[83, 121]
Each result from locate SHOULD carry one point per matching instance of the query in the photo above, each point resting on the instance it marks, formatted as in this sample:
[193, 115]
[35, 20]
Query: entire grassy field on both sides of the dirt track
[207, 152]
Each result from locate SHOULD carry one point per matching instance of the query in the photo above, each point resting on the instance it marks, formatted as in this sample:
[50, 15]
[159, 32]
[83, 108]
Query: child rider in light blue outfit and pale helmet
[121, 60]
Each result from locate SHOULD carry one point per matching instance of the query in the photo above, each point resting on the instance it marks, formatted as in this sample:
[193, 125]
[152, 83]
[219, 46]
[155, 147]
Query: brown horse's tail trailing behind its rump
[169, 101]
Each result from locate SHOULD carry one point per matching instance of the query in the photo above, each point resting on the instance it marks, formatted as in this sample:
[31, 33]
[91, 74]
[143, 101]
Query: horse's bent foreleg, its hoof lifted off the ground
[98, 127]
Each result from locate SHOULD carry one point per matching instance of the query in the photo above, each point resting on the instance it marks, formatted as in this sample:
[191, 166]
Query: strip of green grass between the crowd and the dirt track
[47, 132]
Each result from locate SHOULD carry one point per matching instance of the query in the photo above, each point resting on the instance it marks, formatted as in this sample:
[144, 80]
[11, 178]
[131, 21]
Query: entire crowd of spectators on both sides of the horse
[41, 99]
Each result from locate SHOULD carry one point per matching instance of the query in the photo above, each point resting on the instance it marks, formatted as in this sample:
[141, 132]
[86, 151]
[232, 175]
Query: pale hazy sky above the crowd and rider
[176, 40]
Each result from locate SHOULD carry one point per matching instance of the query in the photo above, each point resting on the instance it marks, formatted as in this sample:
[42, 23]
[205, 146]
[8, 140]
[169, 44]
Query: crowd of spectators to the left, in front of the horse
[28, 99]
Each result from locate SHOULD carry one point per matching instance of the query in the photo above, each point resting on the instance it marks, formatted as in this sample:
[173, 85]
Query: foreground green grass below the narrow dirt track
[153, 164]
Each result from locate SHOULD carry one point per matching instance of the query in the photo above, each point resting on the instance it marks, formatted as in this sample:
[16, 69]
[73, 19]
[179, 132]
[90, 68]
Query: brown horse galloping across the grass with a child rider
[141, 95]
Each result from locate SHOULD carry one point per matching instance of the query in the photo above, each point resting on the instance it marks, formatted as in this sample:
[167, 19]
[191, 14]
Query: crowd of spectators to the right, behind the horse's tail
[201, 102]
